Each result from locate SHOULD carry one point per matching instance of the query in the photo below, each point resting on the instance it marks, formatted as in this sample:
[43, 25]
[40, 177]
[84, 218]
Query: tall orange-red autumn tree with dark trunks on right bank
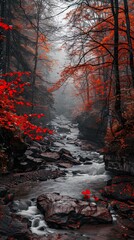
[100, 45]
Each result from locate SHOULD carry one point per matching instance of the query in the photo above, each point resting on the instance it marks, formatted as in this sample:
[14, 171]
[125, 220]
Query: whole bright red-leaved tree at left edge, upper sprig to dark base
[15, 126]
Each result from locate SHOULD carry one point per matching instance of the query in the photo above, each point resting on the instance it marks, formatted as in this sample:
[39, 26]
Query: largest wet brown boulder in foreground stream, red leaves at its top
[66, 212]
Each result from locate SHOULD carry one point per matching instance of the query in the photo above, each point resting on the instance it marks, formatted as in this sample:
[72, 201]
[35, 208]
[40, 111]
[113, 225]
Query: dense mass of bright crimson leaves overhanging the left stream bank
[9, 119]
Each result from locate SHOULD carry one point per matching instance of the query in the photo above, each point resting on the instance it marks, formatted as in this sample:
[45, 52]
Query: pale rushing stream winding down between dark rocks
[91, 175]
